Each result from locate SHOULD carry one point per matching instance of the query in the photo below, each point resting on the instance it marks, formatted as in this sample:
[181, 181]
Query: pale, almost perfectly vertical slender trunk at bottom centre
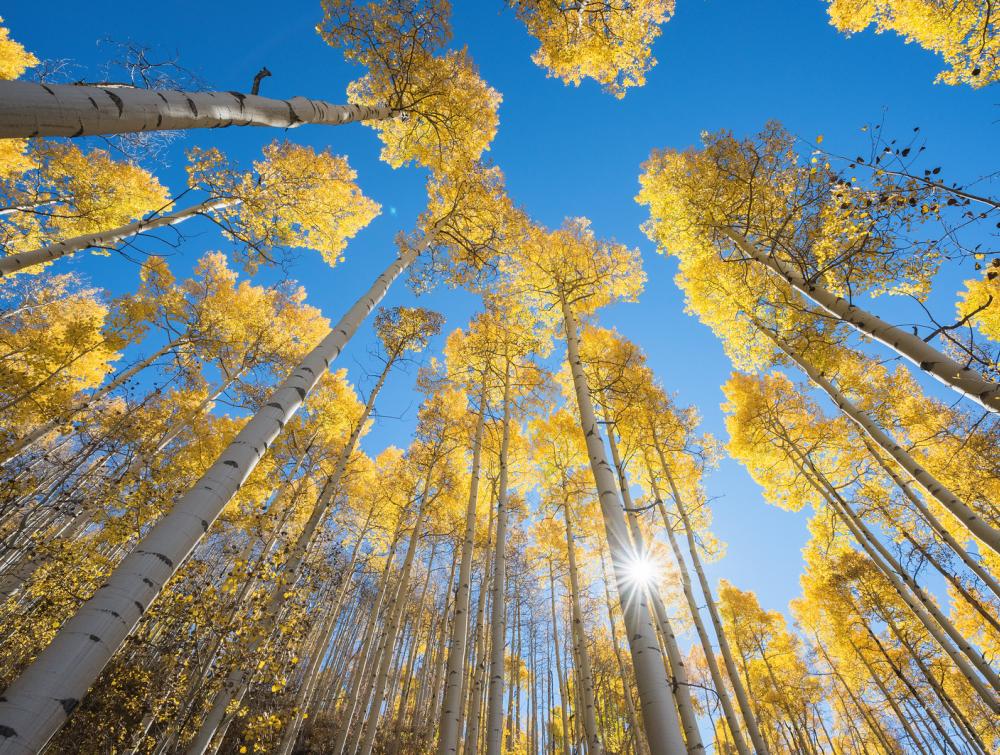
[498, 614]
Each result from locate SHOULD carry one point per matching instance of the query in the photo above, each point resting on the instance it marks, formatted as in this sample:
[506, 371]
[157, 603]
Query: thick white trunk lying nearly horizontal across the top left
[30, 109]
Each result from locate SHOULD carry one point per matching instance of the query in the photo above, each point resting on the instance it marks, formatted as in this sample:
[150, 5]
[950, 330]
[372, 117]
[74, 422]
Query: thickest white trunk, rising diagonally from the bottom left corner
[40, 700]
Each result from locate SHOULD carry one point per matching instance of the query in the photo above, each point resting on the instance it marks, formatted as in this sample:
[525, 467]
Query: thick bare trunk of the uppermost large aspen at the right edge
[962, 379]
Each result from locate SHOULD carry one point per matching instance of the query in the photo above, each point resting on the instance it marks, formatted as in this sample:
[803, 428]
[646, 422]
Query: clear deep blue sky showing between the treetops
[566, 151]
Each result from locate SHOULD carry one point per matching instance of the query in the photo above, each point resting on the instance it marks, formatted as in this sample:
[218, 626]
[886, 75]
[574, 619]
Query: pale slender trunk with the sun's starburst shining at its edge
[659, 717]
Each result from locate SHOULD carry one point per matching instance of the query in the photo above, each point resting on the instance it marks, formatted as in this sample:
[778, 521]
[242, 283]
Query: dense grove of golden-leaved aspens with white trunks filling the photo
[196, 554]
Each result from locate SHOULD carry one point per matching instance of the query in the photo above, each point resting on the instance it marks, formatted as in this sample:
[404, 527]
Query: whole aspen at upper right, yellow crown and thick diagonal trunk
[731, 202]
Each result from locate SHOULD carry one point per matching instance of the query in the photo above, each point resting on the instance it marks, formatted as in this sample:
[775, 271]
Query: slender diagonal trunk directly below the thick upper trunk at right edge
[989, 535]
